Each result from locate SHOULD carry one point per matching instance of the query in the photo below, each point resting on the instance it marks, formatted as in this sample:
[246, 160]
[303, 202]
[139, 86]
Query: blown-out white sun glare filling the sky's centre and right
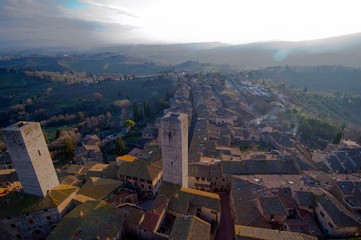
[246, 21]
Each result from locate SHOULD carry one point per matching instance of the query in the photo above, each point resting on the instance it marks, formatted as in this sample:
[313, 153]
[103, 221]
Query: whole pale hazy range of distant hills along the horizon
[344, 50]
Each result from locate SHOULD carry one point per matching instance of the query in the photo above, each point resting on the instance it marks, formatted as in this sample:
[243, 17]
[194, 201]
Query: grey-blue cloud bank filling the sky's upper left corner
[54, 23]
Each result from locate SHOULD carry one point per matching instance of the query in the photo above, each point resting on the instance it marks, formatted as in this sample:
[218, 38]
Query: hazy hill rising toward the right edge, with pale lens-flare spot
[345, 50]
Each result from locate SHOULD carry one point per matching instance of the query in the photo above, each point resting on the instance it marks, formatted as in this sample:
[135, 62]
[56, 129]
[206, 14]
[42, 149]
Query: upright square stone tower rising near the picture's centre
[174, 142]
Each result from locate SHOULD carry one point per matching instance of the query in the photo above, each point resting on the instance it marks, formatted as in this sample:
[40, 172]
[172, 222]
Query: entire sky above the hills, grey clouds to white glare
[92, 22]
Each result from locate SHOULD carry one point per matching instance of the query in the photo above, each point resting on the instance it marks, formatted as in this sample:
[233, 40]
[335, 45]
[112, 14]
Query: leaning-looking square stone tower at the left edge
[31, 158]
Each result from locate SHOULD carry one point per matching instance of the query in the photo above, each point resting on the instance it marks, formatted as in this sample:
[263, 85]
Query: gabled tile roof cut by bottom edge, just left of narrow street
[190, 228]
